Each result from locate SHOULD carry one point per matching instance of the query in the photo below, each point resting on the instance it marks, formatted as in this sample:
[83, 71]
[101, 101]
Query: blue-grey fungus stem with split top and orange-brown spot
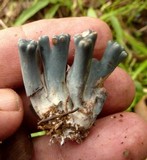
[54, 61]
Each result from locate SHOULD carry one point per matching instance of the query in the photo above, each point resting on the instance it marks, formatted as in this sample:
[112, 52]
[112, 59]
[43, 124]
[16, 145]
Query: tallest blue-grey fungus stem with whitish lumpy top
[80, 69]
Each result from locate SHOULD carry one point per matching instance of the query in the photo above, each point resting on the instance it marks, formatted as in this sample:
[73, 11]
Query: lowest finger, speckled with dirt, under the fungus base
[123, 133]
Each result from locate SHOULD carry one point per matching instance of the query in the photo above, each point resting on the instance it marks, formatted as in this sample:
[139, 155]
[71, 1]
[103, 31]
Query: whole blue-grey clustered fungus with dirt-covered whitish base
[67, 101]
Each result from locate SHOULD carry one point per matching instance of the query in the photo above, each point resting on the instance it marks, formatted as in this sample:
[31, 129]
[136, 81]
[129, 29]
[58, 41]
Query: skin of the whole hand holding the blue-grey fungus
[115, 132]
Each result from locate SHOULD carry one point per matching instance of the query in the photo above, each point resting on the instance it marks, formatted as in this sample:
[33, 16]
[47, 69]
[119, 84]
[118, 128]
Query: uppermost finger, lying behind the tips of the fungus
[10, 66]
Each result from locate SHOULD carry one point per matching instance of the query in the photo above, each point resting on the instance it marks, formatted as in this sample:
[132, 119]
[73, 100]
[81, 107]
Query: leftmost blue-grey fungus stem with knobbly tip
[29, 66]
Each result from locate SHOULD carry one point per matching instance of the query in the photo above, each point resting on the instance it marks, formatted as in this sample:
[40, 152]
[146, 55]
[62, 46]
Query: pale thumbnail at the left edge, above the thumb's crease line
[9, 100]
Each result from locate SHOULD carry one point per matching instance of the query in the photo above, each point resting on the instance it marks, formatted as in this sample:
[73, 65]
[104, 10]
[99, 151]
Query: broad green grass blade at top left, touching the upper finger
[28, 13]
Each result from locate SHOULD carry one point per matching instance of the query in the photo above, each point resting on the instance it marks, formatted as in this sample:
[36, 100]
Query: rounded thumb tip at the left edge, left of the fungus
[11, 112]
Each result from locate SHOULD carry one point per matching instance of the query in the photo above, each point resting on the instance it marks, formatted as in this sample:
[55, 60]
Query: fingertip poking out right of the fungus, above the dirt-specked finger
[120, 92]
